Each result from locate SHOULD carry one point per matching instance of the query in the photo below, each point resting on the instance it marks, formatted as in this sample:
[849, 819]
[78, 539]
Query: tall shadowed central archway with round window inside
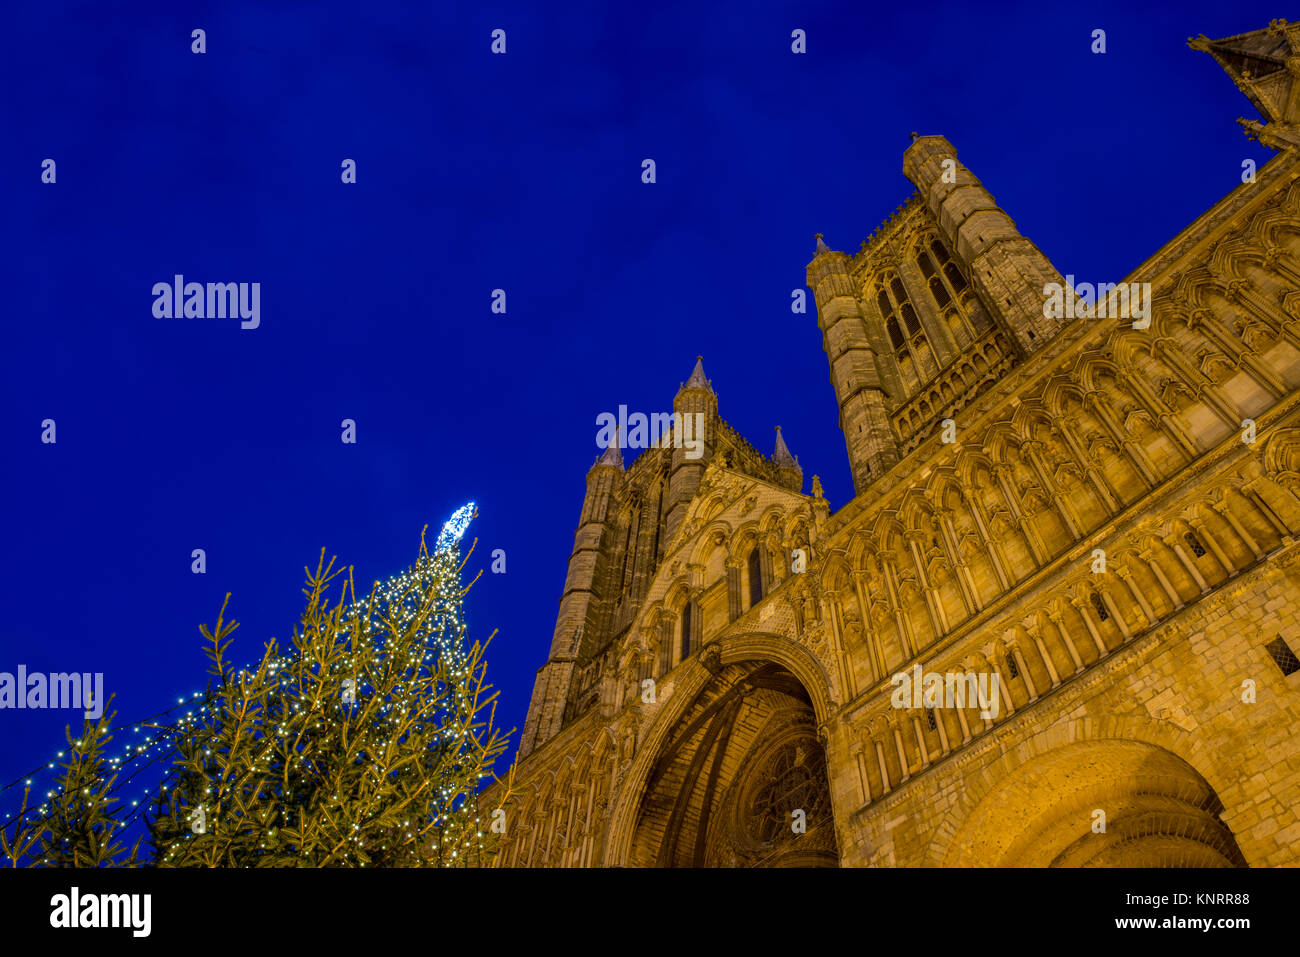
[740, 781]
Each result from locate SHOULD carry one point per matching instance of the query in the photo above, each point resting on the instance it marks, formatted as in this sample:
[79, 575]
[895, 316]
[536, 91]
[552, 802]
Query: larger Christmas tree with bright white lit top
[363, 744]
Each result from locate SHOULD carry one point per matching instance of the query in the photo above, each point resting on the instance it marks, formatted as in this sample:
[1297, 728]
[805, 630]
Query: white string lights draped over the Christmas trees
[418, 610]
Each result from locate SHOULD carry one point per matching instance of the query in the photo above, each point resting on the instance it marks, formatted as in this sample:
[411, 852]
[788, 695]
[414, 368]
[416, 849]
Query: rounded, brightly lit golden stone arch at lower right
[1098, 804]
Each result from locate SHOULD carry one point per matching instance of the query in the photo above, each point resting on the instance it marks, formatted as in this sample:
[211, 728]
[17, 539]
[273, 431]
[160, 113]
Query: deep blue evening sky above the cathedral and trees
[478, 172]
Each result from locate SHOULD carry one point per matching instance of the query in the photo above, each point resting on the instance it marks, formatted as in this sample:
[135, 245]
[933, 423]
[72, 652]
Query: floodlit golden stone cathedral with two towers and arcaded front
[1059, 622]
